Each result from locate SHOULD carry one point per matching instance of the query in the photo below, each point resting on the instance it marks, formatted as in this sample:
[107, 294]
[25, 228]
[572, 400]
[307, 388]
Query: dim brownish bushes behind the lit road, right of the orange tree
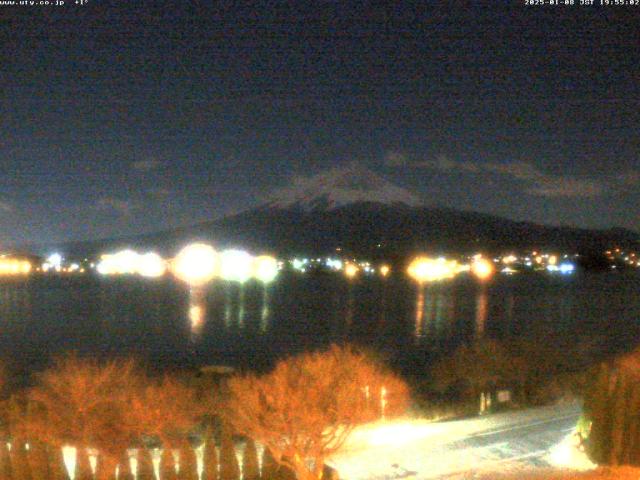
[529, 371]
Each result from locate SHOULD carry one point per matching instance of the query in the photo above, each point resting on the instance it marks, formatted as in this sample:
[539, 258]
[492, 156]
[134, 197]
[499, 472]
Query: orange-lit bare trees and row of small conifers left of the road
[117, 420]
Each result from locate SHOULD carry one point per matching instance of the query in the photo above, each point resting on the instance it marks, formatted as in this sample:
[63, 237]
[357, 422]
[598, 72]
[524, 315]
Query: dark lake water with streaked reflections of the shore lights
[163, 322]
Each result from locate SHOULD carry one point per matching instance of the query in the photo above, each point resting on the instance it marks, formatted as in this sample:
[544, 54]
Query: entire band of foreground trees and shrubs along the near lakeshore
[122, 422]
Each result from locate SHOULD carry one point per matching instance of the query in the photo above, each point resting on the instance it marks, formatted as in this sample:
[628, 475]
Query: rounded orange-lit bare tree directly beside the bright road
[304, 410]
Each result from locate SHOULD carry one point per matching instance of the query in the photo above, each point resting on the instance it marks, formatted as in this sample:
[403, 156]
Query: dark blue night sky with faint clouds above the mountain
[127, 117]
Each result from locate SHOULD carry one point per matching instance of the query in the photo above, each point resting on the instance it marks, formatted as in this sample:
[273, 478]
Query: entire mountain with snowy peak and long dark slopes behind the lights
[362, 213]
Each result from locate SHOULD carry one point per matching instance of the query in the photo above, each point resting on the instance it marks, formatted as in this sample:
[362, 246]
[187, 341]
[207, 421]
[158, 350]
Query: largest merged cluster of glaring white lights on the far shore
[196, 265]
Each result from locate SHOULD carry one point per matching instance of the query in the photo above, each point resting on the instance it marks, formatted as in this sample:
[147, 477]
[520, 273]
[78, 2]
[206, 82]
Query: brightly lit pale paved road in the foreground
[415, 449]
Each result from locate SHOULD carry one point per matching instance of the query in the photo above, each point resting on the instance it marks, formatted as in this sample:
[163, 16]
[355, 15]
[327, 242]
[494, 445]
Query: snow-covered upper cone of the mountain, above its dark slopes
[338, 187]
